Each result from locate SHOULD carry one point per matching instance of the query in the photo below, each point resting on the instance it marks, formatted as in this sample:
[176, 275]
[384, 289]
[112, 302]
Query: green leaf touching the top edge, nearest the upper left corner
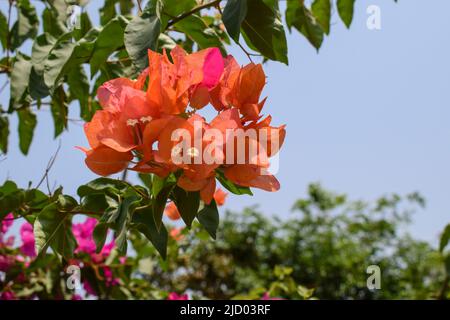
[27, 24]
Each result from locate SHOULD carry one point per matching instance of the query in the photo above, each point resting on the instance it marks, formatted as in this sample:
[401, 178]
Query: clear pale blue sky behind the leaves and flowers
[368, 115]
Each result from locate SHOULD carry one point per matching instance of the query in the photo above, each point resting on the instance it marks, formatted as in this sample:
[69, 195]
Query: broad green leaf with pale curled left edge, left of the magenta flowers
[53, 228]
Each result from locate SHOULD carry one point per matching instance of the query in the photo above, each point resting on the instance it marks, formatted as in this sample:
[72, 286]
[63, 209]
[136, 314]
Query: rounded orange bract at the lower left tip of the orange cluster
[105, 161]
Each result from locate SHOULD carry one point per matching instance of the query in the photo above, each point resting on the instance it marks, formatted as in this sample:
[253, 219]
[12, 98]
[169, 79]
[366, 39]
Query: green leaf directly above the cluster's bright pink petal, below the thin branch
[196, 29]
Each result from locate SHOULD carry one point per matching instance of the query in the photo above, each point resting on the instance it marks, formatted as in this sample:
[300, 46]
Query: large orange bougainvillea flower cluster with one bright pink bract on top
[150, 123]
